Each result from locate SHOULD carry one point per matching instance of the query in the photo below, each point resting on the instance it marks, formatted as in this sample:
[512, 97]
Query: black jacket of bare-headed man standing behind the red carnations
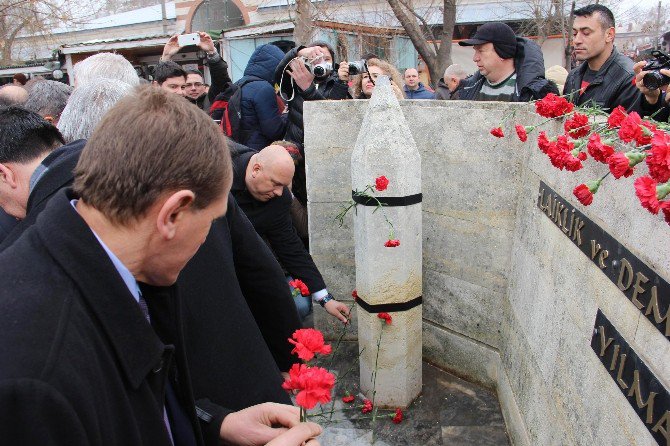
[610, 87]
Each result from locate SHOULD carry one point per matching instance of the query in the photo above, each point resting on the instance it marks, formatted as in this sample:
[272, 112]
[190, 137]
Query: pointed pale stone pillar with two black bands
[388, 279]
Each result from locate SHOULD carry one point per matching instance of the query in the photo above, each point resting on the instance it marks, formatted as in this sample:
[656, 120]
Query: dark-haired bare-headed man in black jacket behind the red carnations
[604, 79]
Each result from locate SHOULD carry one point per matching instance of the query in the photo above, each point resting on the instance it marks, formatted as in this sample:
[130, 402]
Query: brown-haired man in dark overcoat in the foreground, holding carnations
[79, 362]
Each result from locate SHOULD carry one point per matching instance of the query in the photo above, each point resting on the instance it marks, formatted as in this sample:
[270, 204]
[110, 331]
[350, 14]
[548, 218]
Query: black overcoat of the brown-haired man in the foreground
[79, 363]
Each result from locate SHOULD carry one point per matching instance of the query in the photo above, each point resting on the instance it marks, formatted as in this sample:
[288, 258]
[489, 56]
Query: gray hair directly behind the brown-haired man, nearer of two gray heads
[88, 105]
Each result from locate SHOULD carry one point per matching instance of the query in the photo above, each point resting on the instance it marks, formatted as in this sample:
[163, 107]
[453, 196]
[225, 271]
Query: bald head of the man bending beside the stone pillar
[268, 172]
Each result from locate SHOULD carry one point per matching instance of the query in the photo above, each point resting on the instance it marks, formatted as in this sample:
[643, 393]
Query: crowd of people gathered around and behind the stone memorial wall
[146, 248]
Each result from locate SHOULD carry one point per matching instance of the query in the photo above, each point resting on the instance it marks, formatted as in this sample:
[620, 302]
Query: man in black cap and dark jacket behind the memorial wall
[511, 68]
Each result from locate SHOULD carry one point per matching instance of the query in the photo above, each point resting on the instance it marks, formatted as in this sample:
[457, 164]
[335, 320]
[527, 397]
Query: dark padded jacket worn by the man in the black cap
[530, 81]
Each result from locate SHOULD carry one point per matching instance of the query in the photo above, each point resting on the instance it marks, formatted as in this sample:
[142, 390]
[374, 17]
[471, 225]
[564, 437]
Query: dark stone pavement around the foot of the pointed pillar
[449, 411]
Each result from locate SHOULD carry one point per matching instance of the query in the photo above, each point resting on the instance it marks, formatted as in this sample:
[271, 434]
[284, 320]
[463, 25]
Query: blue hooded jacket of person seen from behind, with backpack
[262, 120]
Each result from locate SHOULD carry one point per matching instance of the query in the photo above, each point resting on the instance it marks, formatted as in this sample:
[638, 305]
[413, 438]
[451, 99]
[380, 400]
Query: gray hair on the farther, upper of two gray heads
[105, 66]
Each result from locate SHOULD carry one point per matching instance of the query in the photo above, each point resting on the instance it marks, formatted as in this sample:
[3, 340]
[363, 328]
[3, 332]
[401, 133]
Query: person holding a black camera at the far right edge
[652, 81]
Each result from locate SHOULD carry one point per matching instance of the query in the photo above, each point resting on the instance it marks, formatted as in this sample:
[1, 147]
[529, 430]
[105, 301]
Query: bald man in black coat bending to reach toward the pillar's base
[260, 186]
